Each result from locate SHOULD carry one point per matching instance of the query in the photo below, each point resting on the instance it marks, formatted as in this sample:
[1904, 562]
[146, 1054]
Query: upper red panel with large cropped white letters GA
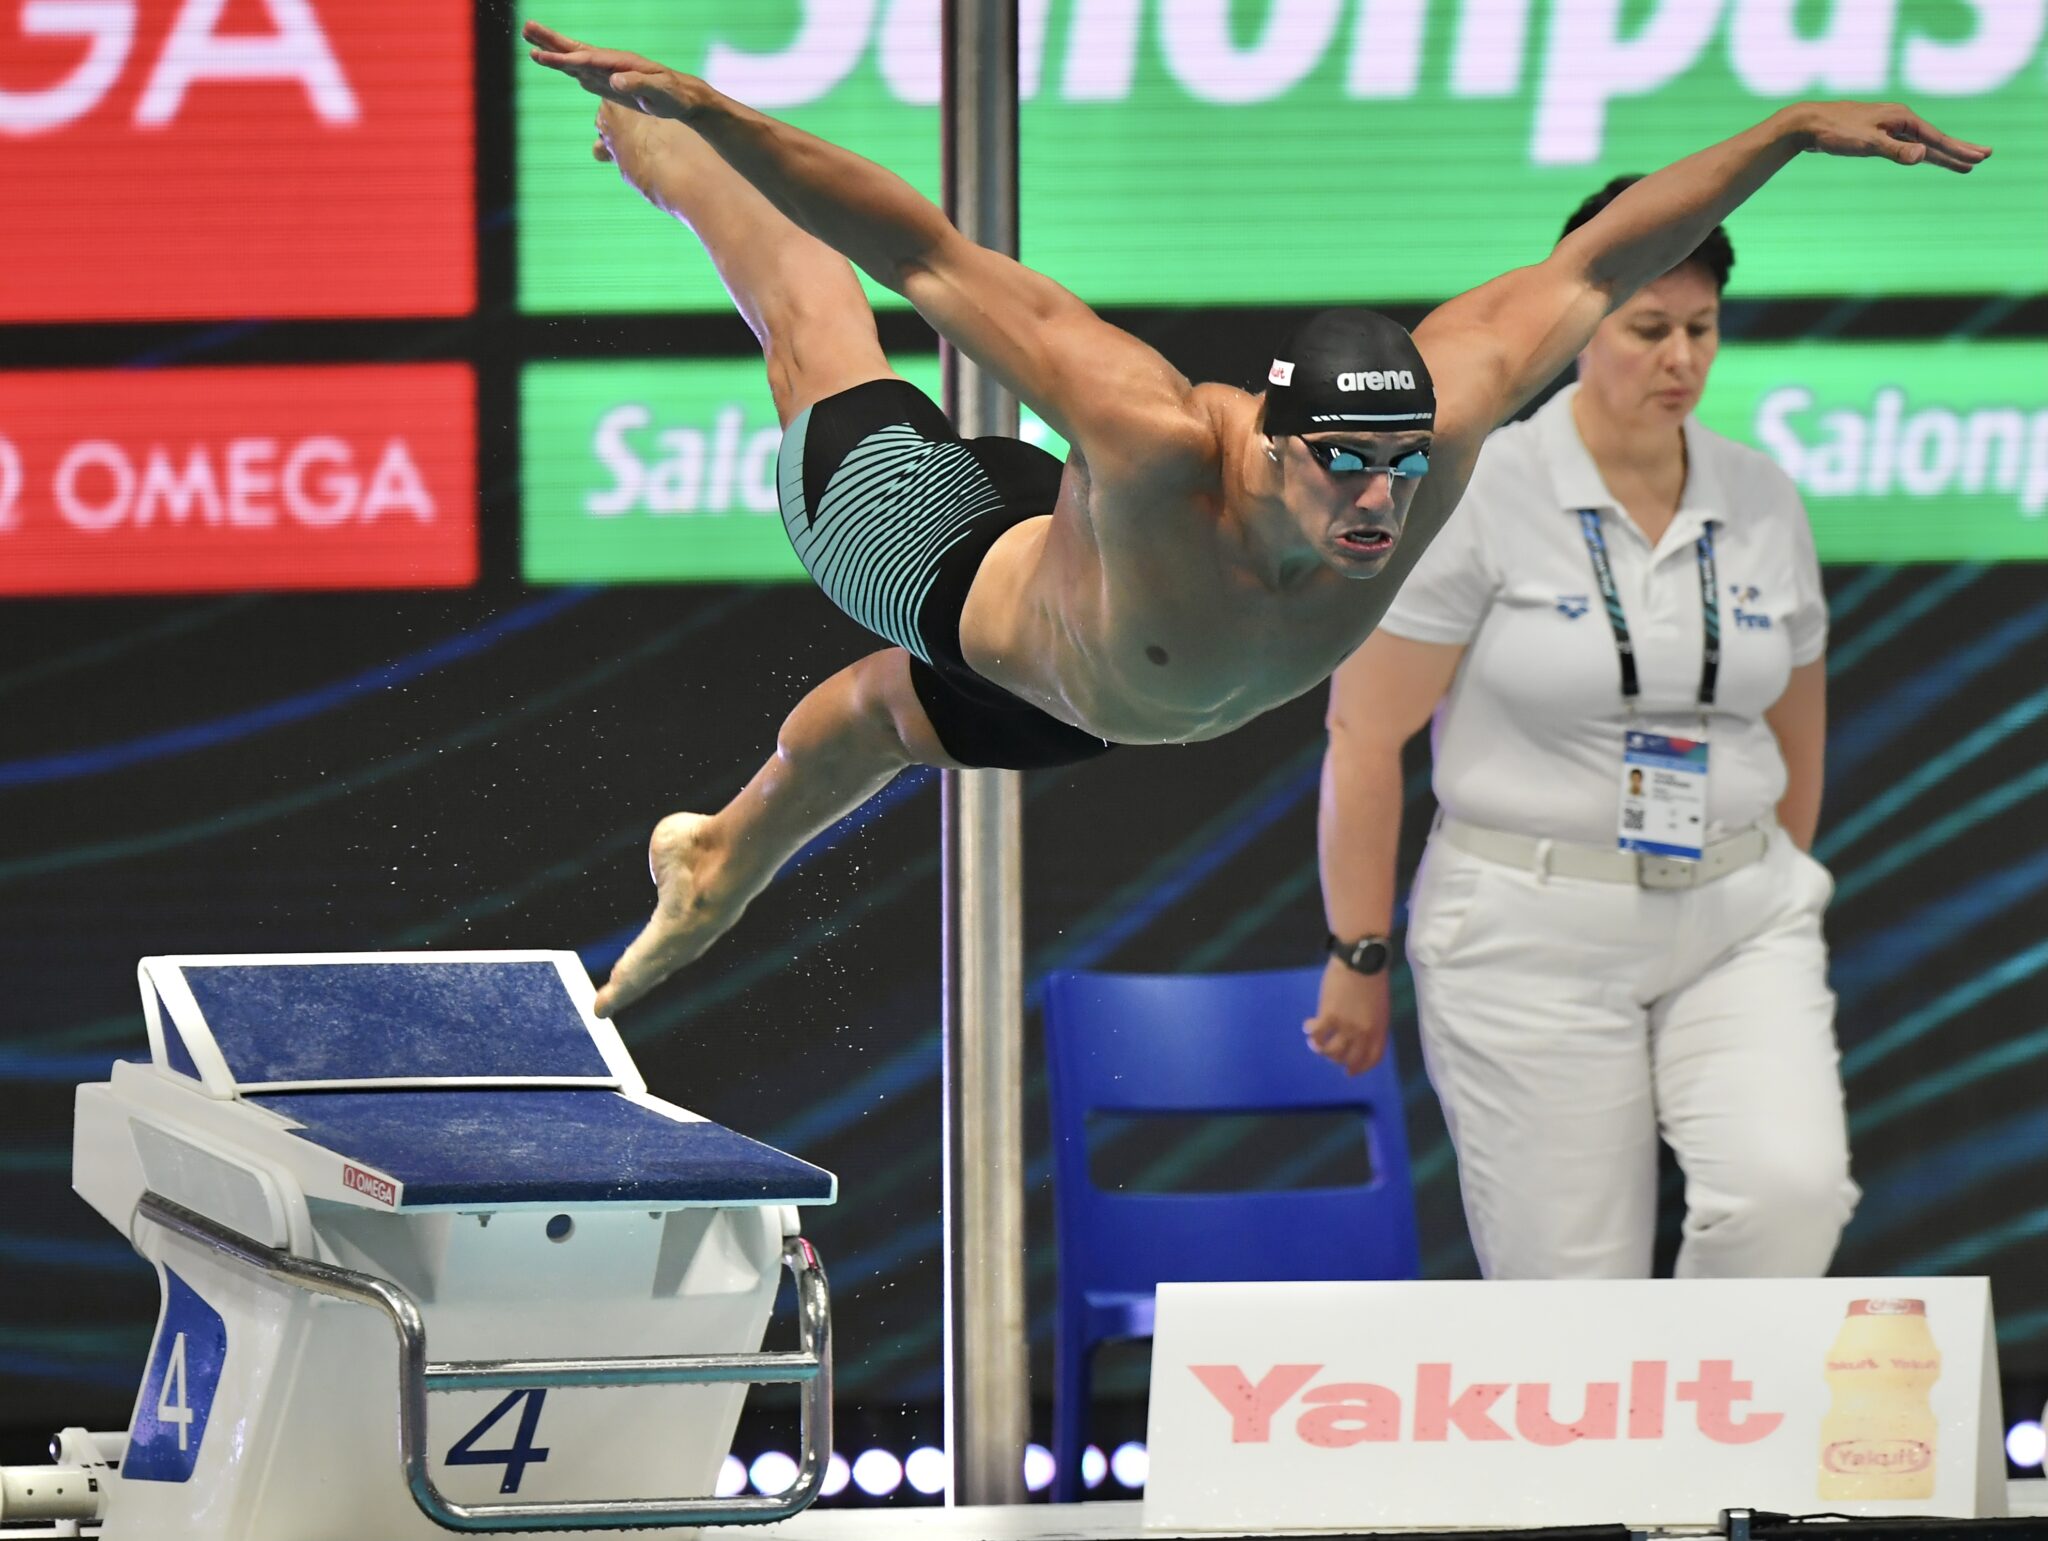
[220, 159]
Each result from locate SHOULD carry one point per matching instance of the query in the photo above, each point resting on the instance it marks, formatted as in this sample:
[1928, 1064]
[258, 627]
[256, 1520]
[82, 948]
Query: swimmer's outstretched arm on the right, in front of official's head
[1498, 345]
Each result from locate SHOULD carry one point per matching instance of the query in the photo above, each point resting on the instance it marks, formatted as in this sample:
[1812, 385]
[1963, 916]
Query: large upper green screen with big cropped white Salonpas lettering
[1340, 151]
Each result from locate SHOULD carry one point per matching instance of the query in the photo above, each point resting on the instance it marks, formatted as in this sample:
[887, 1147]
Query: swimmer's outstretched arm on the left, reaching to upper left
[1097, 386]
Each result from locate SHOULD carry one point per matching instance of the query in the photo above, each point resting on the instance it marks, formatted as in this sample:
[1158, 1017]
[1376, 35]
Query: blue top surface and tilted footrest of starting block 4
[472, 1079]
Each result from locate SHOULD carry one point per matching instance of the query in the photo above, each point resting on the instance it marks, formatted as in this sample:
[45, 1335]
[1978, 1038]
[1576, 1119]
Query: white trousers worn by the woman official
[1568, 1024]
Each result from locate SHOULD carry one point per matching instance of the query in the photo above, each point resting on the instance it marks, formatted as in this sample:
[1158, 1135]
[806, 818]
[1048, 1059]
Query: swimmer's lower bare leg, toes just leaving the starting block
[839, 749]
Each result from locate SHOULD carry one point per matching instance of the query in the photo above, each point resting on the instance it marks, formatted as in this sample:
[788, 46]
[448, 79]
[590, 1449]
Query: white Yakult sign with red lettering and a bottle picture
[1363, 1407]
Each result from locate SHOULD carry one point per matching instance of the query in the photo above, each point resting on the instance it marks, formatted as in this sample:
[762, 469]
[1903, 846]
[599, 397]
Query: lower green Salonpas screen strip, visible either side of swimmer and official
[1916, 452]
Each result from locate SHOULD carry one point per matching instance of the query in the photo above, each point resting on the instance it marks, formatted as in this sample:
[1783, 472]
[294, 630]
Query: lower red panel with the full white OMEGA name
[181, 481]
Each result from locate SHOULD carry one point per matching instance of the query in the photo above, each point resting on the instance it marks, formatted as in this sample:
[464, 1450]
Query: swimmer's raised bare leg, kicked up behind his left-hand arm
[800, 296]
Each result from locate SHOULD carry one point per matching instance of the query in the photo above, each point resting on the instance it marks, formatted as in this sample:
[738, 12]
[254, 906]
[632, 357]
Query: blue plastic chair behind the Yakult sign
[1220, 1044]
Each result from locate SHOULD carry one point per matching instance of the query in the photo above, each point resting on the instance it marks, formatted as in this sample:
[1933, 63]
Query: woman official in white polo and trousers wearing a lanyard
[1617, 929]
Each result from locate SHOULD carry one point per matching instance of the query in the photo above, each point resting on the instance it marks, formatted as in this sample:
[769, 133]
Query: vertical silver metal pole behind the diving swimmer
[988, 1374]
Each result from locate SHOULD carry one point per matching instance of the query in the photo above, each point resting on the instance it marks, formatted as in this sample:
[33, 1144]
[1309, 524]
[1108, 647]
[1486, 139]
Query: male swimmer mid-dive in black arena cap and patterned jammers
[1191, 567]
